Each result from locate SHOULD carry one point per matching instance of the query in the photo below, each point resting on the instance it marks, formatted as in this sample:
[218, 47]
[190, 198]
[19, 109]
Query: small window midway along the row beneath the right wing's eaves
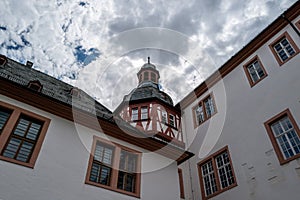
[255, 71]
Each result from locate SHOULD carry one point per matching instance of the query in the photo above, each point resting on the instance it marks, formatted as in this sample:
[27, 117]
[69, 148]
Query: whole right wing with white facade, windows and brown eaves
[243, 122]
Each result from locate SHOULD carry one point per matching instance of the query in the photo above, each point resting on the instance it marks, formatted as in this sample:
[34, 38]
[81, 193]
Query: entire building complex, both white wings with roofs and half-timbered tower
[236, 136]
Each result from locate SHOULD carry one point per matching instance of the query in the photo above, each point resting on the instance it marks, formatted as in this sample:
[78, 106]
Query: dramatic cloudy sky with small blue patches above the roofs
[100, 45]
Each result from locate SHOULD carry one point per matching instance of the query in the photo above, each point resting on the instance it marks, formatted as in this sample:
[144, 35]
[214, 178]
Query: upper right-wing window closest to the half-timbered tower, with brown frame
[204, 110]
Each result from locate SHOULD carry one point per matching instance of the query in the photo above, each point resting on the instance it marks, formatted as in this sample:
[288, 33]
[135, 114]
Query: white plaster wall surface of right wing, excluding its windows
[257, 169]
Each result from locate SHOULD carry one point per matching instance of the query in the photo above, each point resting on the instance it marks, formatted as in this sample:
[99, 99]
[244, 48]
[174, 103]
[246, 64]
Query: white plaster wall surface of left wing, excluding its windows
[60, 169]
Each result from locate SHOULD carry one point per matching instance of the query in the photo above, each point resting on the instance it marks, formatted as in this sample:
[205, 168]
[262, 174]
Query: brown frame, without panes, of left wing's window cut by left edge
[9, 127]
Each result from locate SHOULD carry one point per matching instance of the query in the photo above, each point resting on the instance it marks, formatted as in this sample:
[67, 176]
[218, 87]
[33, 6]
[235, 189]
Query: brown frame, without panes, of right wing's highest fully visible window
[291, 42]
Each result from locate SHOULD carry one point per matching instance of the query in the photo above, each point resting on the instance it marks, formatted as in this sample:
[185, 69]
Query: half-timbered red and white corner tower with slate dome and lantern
[151, 110]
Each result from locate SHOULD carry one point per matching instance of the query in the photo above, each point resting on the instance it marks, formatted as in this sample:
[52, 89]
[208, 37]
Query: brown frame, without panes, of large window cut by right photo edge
[278, 151]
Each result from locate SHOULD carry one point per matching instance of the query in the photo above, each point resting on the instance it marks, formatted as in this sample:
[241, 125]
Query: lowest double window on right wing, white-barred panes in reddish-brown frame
[216, 174]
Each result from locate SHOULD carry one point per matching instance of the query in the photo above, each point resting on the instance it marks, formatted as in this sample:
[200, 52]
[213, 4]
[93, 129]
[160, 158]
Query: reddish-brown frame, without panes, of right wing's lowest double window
[216, 174]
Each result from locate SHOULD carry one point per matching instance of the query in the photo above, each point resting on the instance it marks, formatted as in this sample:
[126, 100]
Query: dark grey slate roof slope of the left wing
[53, 88]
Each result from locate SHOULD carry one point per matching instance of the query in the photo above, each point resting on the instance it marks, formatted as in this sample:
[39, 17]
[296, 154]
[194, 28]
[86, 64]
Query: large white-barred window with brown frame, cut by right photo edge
[285, 136]
